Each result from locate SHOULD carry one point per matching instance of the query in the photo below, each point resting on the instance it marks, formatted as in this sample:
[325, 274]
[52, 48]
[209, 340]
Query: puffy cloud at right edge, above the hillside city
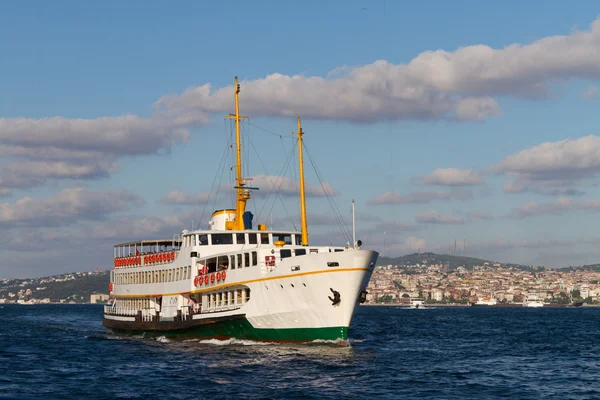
[552, 168]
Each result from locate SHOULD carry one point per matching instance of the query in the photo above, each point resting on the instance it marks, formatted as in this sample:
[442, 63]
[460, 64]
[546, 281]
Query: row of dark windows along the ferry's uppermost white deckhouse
[240, 238]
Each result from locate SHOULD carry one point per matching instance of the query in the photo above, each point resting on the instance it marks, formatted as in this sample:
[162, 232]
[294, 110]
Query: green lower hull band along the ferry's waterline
[242, 329]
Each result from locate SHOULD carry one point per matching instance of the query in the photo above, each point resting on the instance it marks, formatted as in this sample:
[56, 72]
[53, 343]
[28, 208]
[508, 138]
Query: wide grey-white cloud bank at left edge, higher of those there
[36, 150]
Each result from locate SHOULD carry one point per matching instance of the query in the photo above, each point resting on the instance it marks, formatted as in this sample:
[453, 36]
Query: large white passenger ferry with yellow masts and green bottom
[232, 280]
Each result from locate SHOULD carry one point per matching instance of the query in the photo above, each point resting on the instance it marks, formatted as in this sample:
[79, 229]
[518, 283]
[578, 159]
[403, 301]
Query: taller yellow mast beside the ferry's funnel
[243, 194]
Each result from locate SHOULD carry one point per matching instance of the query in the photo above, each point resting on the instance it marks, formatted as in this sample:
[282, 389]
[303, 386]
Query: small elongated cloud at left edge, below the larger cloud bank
[66, 207]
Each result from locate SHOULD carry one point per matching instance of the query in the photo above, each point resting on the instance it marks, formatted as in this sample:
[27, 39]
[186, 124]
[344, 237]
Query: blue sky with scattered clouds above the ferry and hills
[462, 122]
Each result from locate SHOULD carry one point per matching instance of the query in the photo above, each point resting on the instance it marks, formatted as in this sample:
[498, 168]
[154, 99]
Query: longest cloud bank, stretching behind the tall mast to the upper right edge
[434, 85]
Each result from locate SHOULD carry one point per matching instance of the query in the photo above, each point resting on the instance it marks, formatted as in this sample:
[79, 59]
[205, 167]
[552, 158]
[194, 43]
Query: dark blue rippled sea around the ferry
[64, 352]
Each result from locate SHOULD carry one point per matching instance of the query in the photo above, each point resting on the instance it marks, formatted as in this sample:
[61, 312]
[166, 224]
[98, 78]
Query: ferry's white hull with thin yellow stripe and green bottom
[294, 301]
